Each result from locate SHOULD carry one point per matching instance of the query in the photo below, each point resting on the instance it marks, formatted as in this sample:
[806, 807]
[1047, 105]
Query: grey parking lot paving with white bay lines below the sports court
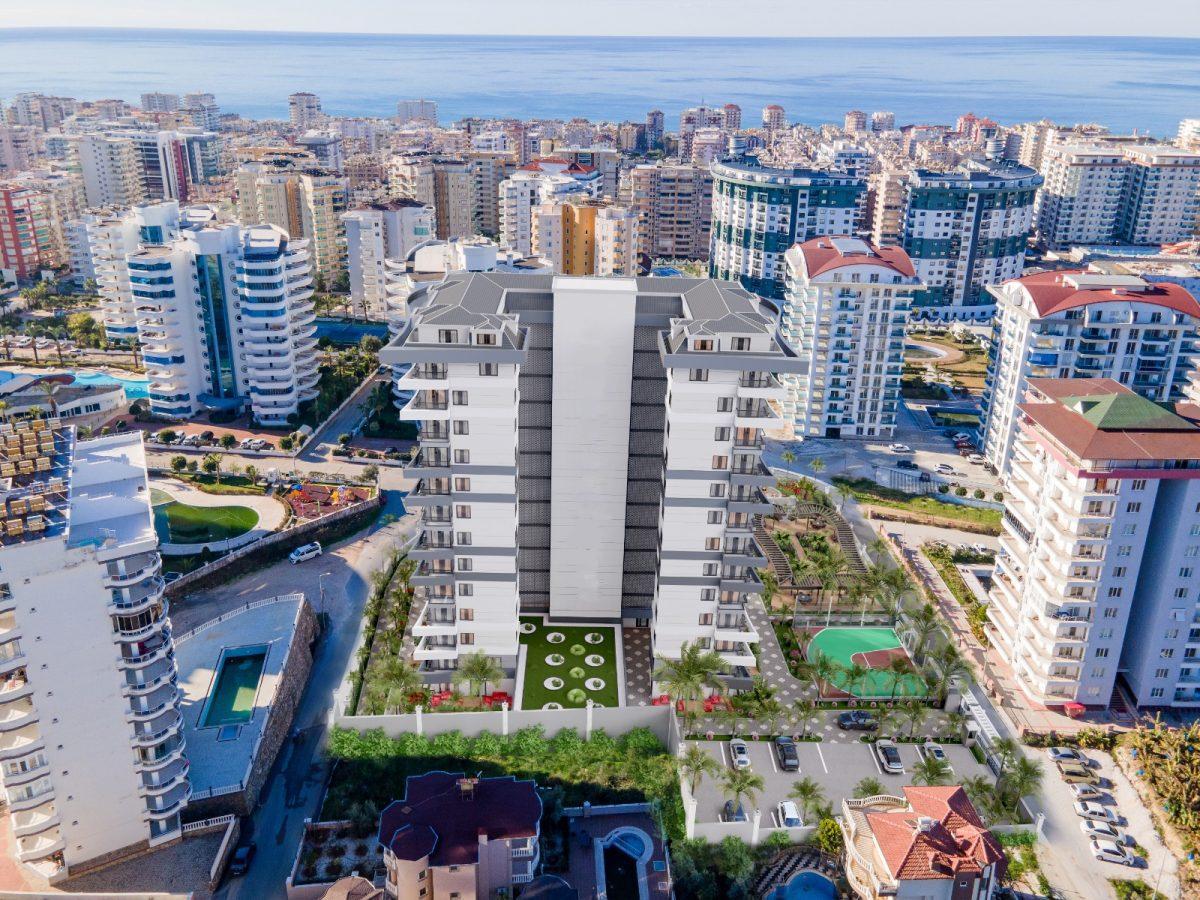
[836, 766]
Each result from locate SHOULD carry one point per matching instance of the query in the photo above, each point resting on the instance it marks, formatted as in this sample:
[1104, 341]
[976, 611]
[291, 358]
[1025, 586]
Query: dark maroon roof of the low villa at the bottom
[436, 820]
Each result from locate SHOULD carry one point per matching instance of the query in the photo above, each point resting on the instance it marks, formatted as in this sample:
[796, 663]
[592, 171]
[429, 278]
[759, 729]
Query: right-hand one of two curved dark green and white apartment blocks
[968, 230]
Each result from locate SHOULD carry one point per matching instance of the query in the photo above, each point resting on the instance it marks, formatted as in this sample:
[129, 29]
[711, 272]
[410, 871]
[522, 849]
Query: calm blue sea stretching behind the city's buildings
[1126, 83]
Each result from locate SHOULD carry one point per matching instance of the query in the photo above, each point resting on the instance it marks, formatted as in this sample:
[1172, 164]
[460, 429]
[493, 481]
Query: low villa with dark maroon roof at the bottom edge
[458, 837]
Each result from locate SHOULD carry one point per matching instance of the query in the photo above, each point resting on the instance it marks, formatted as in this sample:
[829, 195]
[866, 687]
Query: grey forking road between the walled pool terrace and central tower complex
[295, 789]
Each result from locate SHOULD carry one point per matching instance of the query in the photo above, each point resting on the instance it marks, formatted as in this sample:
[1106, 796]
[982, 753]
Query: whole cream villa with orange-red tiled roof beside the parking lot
[928, 845]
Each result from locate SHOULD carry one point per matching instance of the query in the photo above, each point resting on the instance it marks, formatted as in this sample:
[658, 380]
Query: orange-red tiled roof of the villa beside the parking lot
[953, 842]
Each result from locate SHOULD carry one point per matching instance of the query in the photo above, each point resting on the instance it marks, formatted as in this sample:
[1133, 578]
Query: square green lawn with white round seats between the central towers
[574, 651]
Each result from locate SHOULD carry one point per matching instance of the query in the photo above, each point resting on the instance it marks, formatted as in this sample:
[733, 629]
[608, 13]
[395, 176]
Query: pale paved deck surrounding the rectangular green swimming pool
[225, 764]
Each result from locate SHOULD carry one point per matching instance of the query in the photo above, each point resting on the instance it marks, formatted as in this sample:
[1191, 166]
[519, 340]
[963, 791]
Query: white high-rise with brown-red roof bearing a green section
[1096, 575]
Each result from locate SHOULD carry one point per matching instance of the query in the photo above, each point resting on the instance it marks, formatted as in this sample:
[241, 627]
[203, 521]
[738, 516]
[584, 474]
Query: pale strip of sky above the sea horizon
[723, 19]
